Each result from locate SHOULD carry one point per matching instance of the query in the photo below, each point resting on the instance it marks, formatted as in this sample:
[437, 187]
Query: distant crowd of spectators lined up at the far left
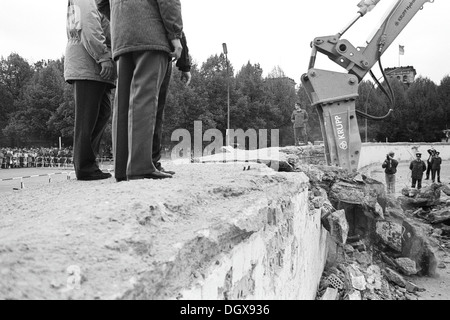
[41, 157]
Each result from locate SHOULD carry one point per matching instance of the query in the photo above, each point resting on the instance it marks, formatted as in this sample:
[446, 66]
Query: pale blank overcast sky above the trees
[271, 33]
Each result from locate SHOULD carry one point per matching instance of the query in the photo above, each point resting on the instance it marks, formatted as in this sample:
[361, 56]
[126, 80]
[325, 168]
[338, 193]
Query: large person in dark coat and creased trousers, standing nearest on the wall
[146, 38]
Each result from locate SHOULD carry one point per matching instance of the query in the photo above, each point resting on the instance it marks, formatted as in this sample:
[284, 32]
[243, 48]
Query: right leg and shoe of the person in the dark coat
[149, 73]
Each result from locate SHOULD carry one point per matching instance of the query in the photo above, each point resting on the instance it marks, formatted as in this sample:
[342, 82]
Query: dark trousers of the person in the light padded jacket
[92, 113]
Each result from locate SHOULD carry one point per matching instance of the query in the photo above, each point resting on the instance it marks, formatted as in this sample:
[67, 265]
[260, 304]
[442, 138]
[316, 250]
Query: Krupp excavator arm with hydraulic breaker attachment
[334, 94]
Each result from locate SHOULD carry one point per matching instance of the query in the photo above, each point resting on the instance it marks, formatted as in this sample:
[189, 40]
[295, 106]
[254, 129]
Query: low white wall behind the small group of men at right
[376, 152]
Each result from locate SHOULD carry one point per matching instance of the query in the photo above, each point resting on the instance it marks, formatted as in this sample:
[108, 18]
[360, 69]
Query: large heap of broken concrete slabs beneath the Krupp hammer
[376, 246]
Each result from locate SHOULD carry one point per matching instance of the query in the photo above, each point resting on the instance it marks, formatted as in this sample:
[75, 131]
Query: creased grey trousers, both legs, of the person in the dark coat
[140, 77]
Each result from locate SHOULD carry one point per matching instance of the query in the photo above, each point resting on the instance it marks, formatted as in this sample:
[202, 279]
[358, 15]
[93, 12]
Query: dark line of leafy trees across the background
[36, 104]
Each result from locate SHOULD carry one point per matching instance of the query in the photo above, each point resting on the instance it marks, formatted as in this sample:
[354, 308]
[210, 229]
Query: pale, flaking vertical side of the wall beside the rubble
[283, 260]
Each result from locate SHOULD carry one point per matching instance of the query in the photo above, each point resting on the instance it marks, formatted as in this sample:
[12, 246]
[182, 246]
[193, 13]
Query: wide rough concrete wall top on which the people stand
[115, 233]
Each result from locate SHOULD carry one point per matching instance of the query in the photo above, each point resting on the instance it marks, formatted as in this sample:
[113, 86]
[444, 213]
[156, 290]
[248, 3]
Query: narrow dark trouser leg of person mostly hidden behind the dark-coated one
[157, 135]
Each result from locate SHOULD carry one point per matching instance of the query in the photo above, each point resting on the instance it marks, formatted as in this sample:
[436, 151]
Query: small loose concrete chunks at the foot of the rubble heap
[362, 273]
